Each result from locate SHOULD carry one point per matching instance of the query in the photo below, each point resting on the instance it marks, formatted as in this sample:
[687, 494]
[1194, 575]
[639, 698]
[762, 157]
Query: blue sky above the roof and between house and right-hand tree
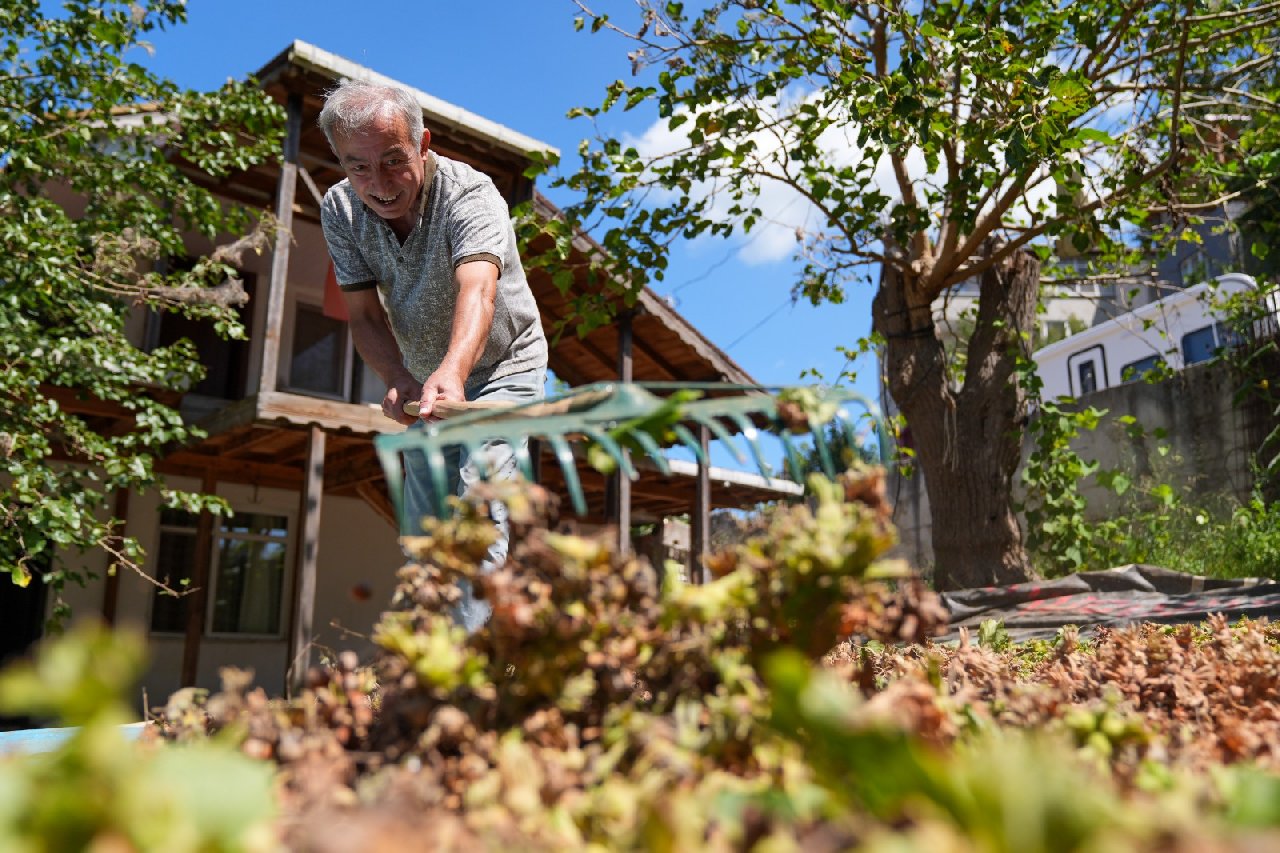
[522, 65]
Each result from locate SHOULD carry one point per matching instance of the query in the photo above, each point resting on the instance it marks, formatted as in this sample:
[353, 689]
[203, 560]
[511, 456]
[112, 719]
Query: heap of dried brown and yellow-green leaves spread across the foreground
[796, 703]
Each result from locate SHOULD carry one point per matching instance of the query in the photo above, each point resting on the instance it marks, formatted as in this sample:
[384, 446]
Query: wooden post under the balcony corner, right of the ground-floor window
[305, 563]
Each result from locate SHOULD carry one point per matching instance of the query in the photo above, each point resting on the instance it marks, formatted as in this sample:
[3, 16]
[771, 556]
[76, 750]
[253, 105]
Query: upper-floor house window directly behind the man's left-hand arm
[324, 362]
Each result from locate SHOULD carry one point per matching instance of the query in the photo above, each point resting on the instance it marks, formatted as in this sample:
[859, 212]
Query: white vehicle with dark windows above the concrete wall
[1180, 330]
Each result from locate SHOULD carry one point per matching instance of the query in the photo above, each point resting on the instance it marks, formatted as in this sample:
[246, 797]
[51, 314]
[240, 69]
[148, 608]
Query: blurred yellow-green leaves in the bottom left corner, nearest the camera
[102, 792]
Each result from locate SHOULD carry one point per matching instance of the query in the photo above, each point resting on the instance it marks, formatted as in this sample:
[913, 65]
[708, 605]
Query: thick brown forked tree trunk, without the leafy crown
[968, 443]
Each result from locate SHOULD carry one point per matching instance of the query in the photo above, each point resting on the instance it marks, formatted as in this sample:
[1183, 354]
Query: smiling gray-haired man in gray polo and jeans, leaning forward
[426, 254]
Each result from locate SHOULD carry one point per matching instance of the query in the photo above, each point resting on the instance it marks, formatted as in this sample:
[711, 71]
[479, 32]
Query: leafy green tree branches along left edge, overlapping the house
[93, 193]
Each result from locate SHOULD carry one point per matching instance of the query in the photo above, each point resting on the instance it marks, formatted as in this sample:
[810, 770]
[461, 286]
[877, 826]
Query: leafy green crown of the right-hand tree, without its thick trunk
[917, 131]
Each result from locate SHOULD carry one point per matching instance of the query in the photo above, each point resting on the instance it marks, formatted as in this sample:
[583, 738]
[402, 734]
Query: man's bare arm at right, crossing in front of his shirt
[473, 321]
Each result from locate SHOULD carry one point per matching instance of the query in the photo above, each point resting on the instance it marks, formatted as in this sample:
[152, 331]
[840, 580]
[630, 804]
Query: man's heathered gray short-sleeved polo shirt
[464, 218]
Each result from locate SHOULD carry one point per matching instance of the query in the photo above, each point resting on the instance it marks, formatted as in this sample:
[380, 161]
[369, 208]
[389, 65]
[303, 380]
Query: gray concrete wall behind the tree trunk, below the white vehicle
[1210, 439]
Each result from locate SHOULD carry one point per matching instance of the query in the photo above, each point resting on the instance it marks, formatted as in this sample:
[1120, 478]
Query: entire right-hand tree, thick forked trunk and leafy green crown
[931, 144]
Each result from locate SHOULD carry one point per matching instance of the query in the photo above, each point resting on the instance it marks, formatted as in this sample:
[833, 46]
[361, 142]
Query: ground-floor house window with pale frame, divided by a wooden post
[248, 576]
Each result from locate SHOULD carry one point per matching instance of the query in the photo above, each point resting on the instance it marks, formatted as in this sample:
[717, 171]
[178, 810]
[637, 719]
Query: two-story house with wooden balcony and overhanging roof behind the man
[309, 559]
